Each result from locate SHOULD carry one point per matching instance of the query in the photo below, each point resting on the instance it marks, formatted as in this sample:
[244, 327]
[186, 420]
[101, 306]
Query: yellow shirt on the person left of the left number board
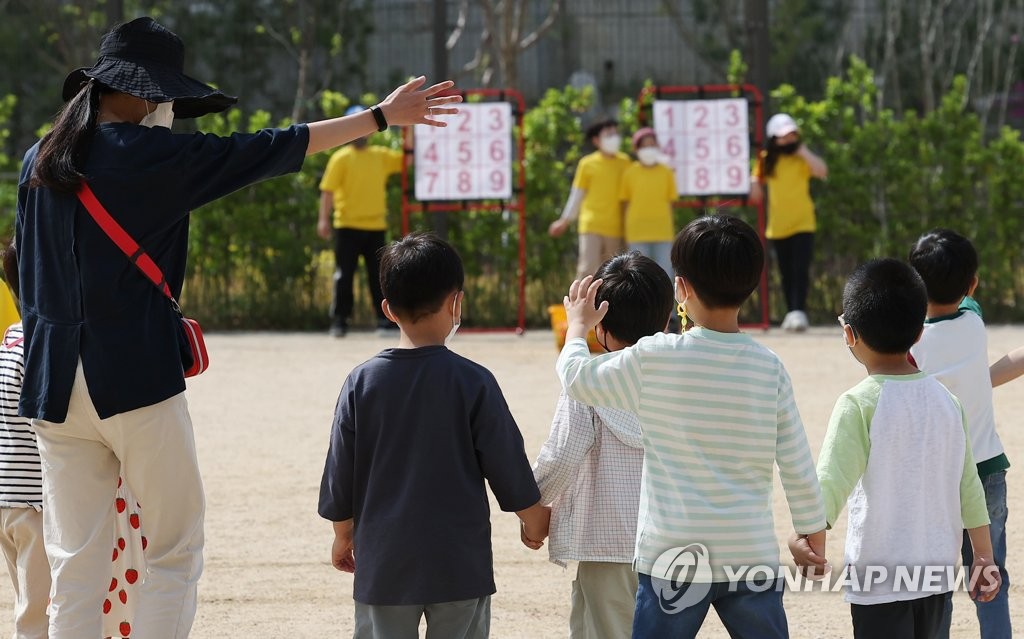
[358, 179]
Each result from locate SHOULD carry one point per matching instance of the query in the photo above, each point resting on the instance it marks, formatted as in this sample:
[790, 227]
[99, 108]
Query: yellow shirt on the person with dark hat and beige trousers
[601, 176]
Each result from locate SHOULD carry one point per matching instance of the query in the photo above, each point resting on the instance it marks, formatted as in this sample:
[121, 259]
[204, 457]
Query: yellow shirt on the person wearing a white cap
[790, 207]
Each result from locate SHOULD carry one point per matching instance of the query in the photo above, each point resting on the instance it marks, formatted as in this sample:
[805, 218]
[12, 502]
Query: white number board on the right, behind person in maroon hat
[708, 143]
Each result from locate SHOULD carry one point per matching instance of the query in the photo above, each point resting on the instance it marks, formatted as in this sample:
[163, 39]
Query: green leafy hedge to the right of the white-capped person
[892, 179]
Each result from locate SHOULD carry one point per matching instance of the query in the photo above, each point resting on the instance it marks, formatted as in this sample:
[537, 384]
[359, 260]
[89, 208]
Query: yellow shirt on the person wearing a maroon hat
[650, 193]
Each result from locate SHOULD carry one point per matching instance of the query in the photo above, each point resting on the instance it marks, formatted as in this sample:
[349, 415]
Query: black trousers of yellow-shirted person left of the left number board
[350, 244]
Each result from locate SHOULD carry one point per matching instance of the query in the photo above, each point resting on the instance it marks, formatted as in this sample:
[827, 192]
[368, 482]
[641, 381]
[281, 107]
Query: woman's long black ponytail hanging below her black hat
[64, 150]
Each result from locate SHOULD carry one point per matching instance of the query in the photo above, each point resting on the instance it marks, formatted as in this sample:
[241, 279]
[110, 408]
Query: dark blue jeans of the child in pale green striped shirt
[746, 613]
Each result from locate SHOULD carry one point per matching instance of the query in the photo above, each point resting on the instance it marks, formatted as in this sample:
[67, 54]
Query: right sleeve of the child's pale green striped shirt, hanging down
[796, 466]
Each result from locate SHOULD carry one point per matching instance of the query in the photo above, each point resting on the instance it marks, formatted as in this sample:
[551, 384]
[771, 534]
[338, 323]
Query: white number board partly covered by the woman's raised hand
[471, 159]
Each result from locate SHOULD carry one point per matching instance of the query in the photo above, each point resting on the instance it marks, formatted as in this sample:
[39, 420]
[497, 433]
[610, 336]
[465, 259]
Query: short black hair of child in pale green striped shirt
[721, 258]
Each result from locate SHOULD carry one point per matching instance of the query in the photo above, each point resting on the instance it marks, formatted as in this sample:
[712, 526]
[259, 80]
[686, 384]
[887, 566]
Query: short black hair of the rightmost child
[948, 264]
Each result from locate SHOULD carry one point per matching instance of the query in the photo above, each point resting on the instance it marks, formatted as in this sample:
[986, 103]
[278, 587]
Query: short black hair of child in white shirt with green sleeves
[885, 303]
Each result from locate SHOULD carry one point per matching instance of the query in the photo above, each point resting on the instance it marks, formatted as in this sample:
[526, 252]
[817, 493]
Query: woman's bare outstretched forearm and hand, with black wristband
[406, 106]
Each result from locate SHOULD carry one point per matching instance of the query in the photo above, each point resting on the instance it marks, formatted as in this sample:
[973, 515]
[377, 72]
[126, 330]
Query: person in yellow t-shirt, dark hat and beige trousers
[594, 199]
